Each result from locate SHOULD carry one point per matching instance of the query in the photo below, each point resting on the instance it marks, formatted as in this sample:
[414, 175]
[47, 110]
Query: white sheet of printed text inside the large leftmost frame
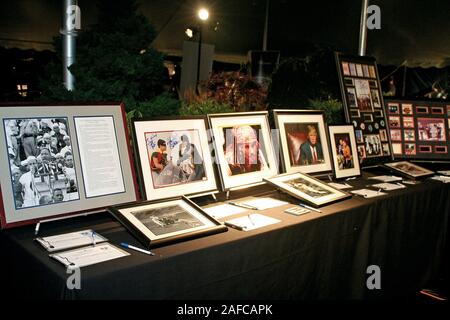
[102, 171]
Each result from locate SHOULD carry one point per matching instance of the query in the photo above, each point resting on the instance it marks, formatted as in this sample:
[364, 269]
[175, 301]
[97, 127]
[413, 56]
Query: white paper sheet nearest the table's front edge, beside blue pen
[89, 255]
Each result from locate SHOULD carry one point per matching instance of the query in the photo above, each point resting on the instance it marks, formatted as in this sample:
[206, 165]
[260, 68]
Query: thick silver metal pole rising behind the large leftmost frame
[71, 22]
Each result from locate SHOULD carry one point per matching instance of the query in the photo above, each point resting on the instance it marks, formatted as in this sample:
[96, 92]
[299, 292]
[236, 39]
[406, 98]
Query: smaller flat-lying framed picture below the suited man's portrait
[308, 189]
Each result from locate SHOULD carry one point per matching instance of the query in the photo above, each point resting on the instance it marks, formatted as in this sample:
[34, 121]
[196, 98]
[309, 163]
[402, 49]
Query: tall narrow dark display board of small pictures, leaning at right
[364, 107]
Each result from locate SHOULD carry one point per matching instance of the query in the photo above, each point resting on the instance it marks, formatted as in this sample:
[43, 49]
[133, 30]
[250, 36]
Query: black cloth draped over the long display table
[314, 256]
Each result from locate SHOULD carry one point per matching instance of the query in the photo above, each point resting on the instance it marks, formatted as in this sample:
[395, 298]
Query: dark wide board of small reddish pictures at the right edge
[419, 130]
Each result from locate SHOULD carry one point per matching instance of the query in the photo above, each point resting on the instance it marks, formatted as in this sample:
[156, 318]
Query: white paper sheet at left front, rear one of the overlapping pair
[70, 240]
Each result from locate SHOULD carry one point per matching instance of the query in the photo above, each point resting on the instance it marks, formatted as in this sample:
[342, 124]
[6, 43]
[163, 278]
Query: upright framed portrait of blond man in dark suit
[304, 141]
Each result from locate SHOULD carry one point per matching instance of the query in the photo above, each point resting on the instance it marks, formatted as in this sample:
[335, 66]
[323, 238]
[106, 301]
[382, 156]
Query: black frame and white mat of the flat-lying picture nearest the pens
[147, 236]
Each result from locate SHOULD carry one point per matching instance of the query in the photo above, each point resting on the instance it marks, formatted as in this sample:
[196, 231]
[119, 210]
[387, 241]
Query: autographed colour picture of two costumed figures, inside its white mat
[175, 157]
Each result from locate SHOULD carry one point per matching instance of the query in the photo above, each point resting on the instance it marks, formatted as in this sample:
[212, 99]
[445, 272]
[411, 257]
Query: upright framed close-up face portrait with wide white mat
[243, 148]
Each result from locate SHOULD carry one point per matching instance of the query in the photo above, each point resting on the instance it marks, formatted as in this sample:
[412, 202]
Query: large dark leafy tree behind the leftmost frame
[114, 61]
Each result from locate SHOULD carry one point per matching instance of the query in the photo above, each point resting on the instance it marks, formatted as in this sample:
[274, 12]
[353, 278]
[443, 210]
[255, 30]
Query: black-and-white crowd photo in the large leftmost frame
[41, 161]
